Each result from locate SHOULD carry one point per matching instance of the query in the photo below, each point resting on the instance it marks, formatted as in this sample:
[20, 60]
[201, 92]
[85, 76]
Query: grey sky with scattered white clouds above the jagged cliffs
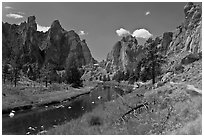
[101, 24]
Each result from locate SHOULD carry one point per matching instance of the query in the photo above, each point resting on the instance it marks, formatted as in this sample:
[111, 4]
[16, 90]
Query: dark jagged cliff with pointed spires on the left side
[57, 46]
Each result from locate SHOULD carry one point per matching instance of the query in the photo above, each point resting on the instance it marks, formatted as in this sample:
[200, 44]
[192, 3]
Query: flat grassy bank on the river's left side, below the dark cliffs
[25, 97]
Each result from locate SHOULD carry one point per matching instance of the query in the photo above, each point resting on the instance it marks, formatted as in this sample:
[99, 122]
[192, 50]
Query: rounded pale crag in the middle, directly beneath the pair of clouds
[125, 55]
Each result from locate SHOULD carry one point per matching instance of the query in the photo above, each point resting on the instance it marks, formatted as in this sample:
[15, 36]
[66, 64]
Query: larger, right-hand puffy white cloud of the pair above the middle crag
[142, 33]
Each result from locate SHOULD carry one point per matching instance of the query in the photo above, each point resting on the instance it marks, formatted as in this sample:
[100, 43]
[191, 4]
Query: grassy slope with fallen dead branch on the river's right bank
[170, 110]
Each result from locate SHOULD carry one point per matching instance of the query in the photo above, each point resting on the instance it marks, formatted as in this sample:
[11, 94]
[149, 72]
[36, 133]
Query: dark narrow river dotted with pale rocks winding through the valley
[39, 120]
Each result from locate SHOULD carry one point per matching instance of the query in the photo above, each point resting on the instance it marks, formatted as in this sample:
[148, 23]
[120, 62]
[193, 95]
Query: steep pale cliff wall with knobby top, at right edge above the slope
[187, 37]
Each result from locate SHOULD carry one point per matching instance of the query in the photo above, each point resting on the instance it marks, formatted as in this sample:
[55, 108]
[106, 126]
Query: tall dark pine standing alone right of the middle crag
[152, 62]
